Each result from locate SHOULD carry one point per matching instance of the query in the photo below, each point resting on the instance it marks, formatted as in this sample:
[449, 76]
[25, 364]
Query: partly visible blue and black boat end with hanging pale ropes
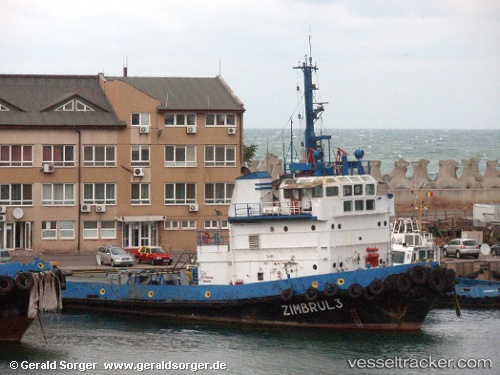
[26, 290]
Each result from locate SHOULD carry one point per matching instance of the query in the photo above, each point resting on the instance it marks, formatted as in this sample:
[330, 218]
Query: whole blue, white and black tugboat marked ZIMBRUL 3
[310, 250]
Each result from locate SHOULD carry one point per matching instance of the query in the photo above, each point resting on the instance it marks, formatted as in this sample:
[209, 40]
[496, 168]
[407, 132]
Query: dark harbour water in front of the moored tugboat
[86, 343]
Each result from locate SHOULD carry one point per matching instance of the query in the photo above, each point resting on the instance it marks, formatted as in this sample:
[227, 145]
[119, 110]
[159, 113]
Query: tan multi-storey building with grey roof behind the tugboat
[87, 161]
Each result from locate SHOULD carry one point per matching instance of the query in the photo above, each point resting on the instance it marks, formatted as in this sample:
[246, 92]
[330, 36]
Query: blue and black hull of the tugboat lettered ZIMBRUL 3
[377, 298]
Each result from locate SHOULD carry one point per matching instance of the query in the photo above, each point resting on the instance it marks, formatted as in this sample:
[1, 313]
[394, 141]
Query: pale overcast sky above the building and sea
[382, 64]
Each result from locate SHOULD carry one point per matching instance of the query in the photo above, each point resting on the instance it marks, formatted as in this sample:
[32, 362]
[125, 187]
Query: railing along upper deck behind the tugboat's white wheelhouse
[283, 208]
